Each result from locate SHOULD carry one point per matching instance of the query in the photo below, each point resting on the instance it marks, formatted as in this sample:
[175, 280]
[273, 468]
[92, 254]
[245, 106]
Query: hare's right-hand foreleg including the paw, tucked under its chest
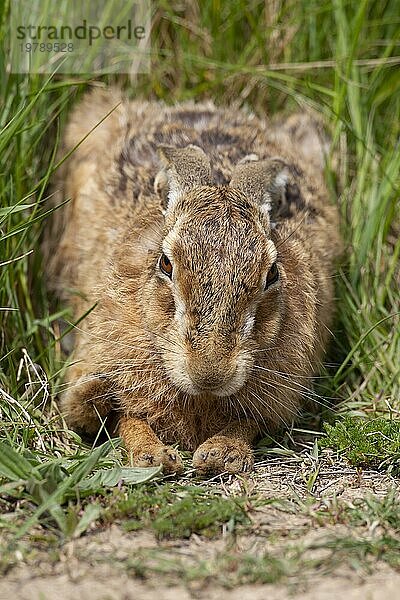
[230, 450]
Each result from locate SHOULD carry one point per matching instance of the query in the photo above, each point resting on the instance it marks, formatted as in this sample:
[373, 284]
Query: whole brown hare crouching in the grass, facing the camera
[202, 245]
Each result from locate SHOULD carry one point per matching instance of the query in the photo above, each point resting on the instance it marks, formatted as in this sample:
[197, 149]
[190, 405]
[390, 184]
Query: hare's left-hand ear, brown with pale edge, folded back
[183, 169]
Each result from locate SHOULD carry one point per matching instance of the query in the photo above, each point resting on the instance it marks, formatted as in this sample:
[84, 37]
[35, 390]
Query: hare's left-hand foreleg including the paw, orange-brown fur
[146, 449]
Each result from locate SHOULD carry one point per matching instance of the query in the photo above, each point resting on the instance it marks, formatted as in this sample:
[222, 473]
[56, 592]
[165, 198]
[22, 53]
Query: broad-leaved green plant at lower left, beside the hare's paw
[51, 485]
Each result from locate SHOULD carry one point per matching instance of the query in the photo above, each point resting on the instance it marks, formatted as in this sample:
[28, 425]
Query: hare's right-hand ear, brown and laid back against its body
[264, 181]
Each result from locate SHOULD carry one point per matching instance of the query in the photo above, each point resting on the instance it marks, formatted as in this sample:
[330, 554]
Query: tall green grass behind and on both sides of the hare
[338, 57]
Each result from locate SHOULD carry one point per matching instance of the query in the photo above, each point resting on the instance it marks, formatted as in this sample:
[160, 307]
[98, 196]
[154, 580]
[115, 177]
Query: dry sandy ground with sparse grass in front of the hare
[307, 516]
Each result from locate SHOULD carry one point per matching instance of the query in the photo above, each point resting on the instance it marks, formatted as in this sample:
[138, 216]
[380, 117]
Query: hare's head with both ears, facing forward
[217, 283]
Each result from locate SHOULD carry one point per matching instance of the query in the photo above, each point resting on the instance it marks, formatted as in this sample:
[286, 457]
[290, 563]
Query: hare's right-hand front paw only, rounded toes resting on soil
[222, 453]
